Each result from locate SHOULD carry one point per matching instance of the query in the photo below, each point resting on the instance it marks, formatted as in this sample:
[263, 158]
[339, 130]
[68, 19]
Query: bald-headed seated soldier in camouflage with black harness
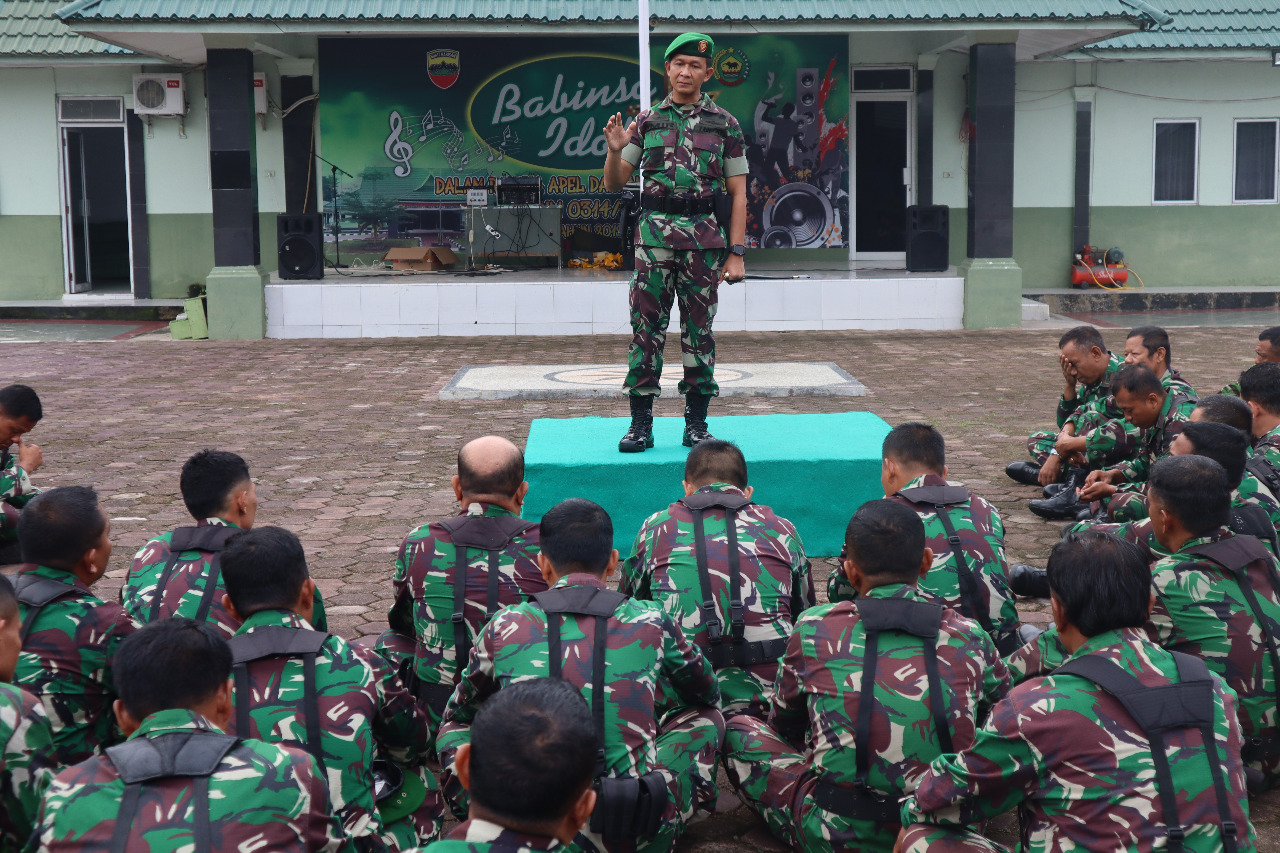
[454, 576]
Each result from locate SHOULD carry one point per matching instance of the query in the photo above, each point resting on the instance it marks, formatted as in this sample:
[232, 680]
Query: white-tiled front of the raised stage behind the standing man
[374, 304]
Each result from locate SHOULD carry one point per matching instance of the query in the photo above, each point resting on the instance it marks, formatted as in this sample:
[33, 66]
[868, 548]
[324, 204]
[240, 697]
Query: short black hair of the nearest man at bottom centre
[533, 751]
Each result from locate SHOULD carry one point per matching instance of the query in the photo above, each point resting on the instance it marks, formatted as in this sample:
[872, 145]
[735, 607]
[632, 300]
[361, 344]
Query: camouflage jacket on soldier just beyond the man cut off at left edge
[67, 664]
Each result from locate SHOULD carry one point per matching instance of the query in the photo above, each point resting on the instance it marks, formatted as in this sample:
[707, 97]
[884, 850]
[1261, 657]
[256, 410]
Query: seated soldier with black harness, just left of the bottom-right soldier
[868, 694]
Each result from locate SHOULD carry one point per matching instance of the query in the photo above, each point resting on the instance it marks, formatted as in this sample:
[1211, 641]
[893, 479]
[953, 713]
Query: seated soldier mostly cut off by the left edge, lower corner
[26, 736]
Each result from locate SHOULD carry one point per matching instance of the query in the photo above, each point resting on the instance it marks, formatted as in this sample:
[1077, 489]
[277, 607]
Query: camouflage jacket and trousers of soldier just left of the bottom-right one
[784, 769]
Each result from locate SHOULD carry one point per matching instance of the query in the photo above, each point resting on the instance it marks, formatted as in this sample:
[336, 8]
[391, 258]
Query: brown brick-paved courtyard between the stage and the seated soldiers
[351, 446]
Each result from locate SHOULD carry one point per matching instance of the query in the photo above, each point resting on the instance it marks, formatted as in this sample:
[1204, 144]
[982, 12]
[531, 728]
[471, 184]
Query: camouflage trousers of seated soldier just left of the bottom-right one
[778, 782]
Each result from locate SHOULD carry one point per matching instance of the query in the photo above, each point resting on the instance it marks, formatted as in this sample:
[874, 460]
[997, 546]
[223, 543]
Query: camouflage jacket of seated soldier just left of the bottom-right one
[816, 701]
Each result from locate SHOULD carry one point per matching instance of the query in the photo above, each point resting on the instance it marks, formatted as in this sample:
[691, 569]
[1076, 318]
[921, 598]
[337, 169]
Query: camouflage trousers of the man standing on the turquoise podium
[664, 276]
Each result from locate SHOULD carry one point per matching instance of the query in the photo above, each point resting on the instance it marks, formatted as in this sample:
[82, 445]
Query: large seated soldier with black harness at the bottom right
[1080, 751]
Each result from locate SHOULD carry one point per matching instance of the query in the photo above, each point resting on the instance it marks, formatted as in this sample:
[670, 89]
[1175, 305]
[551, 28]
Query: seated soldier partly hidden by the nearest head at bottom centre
[652, 774]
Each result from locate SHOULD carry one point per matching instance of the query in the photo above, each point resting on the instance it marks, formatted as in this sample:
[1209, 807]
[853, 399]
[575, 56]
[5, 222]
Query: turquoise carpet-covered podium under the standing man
[812, 469]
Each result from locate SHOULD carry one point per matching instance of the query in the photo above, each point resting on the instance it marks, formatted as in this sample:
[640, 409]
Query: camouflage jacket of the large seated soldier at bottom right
[1069, 754]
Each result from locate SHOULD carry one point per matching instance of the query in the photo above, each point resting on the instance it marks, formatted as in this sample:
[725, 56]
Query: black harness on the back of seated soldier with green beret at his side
[278, 641]
